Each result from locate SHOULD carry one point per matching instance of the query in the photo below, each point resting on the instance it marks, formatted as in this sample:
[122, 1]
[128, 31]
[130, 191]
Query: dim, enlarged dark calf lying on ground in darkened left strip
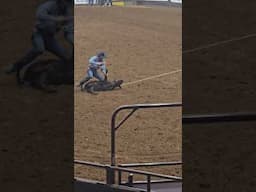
[43, 74]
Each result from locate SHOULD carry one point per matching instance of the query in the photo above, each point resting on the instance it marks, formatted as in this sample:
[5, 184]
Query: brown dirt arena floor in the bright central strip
[140, 43]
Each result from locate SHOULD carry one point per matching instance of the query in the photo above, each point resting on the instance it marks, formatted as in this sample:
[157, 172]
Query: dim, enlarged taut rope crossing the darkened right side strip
[219, 43]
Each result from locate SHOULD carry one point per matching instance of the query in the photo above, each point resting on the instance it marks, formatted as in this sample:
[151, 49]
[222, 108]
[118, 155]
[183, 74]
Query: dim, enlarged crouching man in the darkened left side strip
[51, 16]
